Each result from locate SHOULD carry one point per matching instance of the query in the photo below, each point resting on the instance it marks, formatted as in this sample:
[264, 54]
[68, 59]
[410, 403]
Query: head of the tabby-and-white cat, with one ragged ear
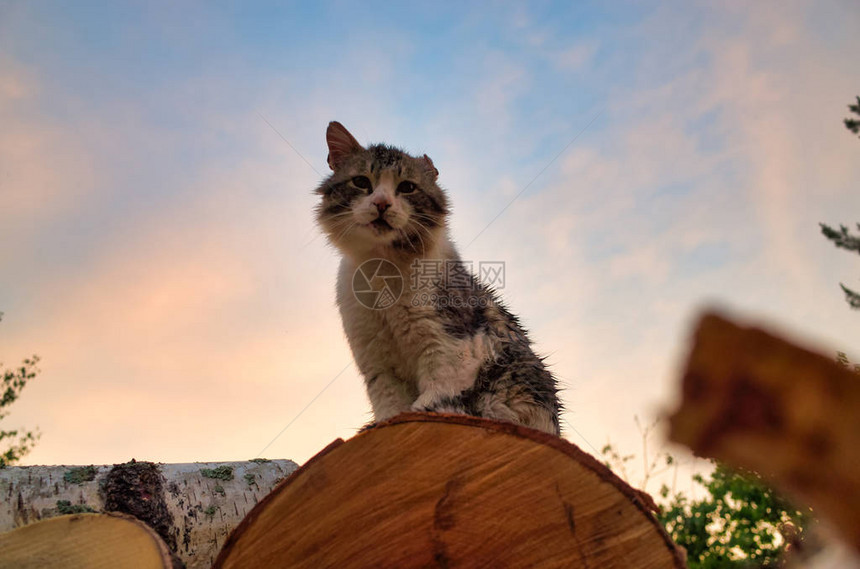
[379, 201]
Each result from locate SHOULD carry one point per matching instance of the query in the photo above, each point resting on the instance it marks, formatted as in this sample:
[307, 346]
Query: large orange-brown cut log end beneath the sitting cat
[450, 491]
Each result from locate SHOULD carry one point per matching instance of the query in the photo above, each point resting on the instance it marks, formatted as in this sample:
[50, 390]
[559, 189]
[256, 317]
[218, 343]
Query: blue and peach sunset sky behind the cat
[630, 163]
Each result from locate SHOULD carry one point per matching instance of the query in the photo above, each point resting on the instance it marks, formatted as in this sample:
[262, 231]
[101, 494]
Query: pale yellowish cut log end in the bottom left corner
[84, 541]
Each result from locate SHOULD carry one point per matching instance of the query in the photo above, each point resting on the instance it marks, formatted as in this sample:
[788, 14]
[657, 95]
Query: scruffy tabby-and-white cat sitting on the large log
[448, 349]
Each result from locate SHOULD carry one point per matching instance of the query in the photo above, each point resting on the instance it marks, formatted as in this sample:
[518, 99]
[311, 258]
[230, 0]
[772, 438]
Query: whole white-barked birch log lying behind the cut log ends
[192, 506]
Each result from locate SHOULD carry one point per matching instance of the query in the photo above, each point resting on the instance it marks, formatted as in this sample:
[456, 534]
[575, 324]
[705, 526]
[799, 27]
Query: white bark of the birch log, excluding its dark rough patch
[203, 510]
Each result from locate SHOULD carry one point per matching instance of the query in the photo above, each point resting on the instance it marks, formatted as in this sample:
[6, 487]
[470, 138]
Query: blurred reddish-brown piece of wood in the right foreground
[758, 402]
